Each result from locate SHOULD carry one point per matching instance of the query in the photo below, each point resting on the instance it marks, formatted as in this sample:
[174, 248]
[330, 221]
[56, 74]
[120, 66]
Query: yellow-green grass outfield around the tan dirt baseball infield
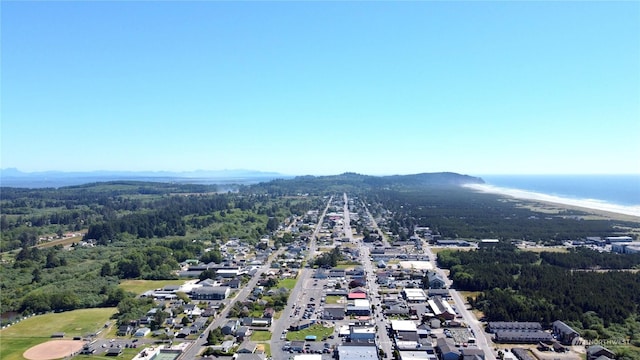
[38, 329]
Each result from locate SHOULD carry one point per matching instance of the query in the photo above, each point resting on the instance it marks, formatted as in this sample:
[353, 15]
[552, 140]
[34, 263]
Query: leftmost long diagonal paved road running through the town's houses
[196, 346]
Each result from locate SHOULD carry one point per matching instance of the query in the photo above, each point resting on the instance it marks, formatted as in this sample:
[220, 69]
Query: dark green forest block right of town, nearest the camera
[517, 285]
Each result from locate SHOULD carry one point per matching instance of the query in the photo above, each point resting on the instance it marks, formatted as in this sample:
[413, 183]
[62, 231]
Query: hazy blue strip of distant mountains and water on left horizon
[16, 178]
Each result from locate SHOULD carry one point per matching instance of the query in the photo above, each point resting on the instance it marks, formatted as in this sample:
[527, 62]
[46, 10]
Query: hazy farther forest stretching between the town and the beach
[456, 213]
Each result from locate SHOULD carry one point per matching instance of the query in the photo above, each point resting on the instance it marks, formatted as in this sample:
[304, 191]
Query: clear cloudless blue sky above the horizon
[322, 87]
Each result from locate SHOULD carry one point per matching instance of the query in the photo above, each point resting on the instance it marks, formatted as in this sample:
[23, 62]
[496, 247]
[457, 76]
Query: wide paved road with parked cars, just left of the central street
[297, 293]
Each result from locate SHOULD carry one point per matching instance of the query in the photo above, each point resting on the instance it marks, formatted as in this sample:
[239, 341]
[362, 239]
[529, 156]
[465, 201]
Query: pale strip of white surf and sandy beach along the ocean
[631, 212]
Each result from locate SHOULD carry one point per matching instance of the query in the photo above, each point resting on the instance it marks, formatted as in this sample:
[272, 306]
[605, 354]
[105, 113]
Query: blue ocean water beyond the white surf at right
[613, 189]
